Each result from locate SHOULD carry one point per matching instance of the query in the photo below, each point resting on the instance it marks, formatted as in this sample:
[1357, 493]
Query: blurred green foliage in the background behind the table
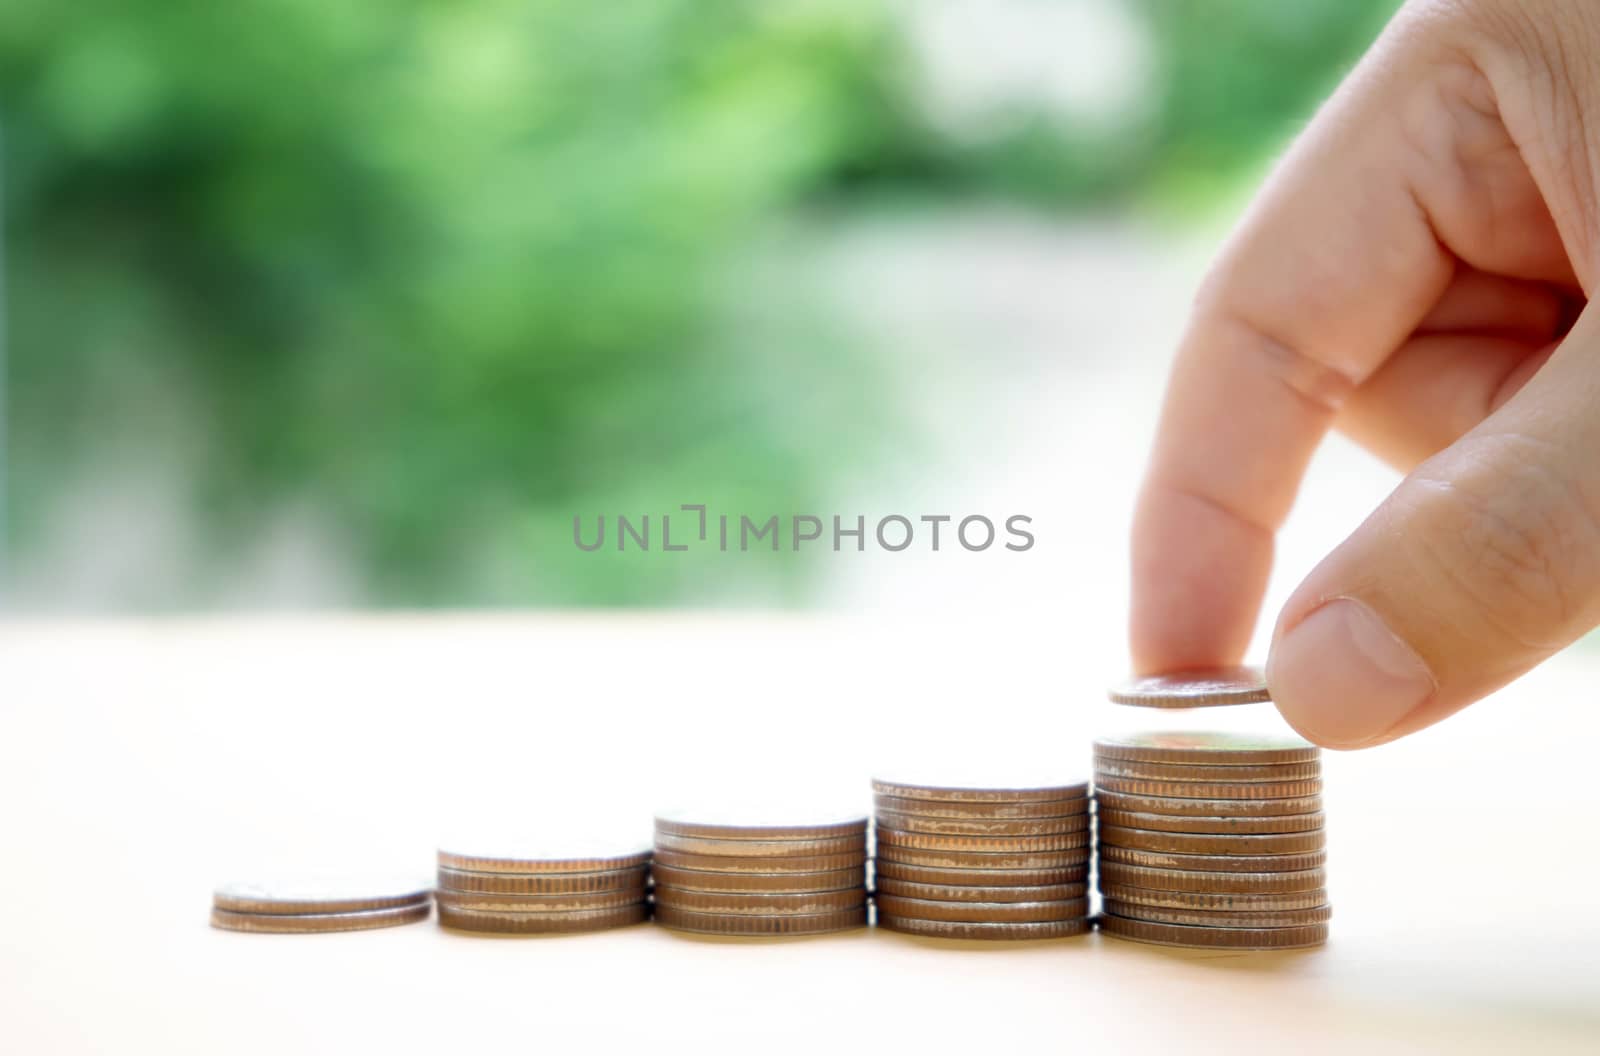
[436, 278]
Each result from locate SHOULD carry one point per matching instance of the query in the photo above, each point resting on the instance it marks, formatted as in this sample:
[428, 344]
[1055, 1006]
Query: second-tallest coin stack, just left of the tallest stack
[982, 863]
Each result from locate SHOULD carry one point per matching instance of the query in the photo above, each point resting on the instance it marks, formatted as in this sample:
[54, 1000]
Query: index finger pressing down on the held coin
[1332, 270]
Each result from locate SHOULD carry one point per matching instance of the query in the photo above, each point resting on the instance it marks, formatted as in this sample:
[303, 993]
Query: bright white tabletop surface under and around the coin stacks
[145, 762]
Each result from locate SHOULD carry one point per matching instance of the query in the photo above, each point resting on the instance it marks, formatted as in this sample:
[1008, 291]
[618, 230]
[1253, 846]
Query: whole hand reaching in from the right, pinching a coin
[1415, 274]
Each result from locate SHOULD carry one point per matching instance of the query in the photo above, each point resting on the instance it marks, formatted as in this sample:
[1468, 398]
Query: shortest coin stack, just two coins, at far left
[302, 906]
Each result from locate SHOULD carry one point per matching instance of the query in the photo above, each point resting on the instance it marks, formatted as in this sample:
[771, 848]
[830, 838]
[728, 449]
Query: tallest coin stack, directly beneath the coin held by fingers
[1212, 841]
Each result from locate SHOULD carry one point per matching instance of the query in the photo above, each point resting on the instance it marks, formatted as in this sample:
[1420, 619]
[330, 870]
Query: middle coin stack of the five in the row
[761, 876]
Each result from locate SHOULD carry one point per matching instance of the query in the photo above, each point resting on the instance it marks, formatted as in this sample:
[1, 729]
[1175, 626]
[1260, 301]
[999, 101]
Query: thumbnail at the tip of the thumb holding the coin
[1343, 678]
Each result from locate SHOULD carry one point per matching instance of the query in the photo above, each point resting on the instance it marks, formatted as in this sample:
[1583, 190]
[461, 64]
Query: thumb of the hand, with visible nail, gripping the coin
[1482, 564]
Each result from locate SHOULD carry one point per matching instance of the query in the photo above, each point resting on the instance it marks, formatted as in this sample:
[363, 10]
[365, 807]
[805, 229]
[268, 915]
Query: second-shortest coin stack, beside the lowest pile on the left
[521, 894]
